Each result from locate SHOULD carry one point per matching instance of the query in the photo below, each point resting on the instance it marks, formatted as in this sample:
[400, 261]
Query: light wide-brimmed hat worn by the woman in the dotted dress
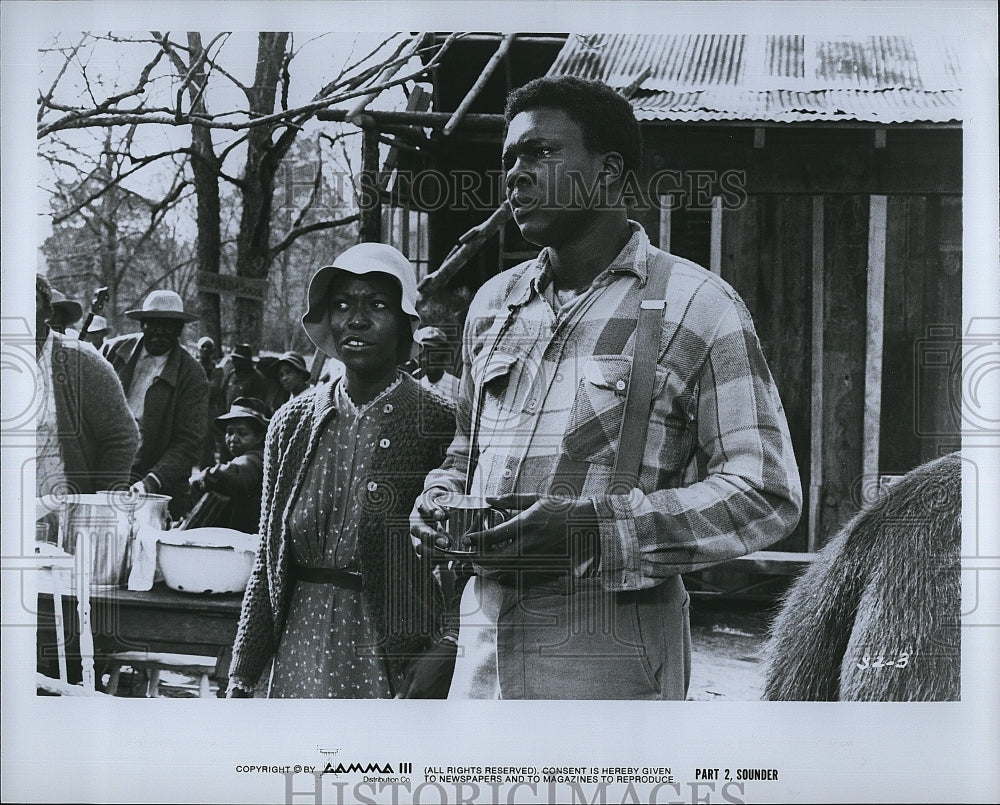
[365, 258]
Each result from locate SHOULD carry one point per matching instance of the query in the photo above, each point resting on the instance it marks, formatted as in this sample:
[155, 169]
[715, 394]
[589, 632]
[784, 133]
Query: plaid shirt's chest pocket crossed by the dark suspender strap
[596, 416]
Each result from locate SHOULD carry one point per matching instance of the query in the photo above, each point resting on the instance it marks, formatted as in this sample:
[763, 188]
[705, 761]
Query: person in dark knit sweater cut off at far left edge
[87, 436]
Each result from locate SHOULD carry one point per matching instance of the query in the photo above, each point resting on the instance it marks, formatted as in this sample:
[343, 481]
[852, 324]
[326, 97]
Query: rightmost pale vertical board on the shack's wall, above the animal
[874, 328]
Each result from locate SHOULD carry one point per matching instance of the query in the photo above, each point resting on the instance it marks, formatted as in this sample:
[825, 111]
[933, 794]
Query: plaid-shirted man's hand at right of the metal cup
[549, 534]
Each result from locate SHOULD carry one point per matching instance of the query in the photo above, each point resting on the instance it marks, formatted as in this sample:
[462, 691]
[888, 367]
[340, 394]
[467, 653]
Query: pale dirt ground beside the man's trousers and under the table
[727, 639]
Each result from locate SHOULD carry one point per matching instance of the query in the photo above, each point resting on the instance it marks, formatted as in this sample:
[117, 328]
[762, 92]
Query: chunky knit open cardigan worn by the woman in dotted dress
[401, 595]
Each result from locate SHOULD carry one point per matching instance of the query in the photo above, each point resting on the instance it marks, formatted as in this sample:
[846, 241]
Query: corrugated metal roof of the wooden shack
[775, 78]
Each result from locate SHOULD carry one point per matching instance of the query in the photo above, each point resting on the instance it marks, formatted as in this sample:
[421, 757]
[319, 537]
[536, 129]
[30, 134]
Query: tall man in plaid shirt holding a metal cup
[578, 595]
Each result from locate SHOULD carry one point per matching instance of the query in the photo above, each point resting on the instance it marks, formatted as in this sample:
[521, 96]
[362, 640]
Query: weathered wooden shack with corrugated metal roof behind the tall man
[821, 177]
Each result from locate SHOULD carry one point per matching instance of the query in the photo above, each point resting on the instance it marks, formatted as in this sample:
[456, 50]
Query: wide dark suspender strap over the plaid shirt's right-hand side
[635, 421]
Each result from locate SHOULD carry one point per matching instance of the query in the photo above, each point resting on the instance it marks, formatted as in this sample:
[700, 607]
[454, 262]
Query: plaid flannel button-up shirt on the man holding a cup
[718, 478]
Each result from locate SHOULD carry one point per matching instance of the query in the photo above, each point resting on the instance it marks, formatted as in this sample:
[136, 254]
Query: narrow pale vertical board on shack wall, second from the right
[816, 419]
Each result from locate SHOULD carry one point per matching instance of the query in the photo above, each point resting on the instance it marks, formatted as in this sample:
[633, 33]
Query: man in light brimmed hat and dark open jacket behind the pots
[167, 393]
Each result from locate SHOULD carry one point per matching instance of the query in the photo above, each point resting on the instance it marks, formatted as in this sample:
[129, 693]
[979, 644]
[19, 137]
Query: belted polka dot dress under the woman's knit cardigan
[328, 649]
